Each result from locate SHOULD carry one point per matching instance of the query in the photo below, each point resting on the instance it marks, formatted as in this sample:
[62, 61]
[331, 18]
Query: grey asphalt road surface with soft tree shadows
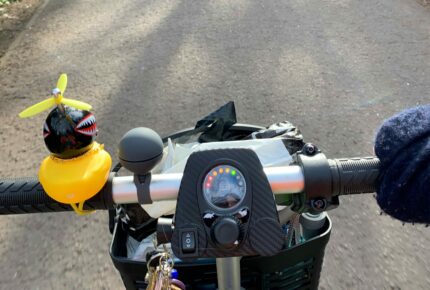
[334, 68]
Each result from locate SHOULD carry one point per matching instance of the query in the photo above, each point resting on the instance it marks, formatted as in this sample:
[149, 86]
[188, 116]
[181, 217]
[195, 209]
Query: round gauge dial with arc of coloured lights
[224, 187]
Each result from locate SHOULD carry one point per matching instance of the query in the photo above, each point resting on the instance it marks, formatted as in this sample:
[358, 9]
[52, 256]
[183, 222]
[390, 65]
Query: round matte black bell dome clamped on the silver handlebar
[140, 149]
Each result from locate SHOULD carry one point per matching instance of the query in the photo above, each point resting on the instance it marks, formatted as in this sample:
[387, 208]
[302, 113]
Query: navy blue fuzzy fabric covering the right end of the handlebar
[403, 147]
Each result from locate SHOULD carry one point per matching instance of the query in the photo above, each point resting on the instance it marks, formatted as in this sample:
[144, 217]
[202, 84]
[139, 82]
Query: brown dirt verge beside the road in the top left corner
[13, 18]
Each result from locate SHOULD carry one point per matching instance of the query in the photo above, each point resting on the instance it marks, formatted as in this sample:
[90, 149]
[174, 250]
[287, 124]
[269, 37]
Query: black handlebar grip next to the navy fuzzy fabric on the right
[354, 175]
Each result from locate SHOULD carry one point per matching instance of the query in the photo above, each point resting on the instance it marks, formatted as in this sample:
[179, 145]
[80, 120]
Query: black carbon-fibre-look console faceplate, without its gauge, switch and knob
[261, 233]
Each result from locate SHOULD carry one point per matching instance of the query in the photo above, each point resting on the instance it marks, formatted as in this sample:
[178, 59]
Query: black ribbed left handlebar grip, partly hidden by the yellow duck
[26, 195]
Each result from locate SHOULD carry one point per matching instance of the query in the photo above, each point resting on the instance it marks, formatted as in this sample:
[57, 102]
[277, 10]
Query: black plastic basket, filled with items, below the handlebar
[297, 267]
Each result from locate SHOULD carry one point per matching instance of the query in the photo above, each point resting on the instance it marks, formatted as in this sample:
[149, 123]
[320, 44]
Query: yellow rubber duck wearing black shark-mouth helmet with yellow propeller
[78, 167]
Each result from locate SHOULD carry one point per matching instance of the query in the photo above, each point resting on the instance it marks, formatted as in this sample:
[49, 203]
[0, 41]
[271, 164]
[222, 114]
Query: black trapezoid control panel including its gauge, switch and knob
[225, 207]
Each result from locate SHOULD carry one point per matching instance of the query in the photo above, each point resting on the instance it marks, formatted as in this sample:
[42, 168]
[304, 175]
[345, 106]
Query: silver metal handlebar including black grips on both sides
[342, 177]
